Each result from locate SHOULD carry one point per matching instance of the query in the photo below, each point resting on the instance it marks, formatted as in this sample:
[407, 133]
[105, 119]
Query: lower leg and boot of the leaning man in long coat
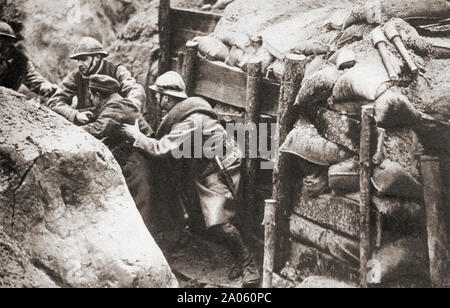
[245, 265]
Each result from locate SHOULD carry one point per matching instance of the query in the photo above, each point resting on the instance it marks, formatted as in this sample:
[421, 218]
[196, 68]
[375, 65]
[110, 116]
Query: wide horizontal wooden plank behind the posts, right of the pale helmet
[228, 85]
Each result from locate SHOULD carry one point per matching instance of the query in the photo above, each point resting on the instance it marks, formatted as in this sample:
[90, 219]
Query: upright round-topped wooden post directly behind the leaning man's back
[253, 111]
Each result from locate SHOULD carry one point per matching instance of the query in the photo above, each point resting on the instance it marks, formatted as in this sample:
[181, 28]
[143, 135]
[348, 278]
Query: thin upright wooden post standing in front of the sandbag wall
[367, 135]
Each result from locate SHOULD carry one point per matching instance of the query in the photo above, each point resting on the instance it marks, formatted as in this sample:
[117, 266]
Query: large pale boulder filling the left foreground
[64, 200]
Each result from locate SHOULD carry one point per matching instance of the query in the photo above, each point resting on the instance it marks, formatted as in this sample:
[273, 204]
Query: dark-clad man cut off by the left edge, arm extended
[15, 67]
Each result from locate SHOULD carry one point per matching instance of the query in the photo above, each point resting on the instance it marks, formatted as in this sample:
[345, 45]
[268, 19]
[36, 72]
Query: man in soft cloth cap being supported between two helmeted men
[110, 111]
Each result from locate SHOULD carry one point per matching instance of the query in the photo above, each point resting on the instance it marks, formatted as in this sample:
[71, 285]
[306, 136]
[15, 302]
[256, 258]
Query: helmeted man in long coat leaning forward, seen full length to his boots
[215, 180]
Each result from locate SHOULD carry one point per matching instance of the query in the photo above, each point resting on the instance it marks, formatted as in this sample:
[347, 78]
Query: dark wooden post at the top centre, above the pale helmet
[165, 37]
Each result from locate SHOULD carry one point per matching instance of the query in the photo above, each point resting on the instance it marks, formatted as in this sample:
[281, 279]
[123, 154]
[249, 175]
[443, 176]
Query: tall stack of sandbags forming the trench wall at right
[326, 220]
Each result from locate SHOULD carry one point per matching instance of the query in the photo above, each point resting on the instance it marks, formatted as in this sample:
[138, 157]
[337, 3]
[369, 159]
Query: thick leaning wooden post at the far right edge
[437, 221]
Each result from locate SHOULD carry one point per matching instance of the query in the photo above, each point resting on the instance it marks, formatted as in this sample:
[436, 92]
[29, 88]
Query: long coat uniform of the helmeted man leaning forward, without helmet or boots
[194, 117]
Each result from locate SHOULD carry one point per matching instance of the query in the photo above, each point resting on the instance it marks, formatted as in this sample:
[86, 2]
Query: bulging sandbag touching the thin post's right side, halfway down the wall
[391, 179]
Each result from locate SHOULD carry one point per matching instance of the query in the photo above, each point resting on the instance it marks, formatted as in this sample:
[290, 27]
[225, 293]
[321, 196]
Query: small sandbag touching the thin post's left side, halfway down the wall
[344, 177]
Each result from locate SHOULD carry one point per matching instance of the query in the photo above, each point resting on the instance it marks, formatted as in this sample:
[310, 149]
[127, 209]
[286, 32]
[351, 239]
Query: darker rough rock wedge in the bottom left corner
[16, 268]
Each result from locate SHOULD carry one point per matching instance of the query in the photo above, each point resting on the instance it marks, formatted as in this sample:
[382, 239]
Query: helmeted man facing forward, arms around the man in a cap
[90, 56]
